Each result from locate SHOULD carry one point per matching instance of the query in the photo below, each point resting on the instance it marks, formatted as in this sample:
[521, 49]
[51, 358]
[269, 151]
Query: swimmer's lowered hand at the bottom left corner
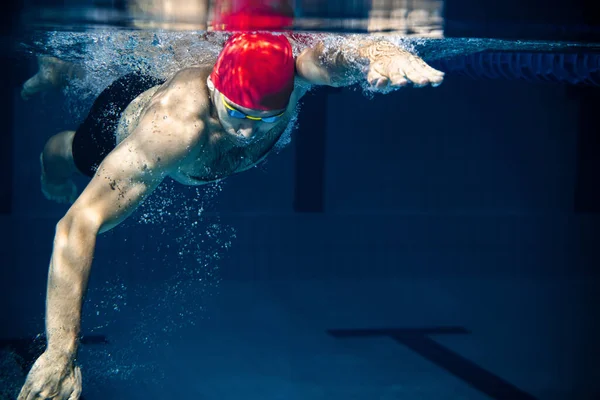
[52, 377]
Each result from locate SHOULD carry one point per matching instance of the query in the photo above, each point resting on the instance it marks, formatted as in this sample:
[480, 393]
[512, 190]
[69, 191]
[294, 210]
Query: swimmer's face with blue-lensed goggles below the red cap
[235, 121]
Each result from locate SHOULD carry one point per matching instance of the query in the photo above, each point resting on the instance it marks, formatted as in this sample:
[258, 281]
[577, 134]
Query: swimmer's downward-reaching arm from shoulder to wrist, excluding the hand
[123, 180]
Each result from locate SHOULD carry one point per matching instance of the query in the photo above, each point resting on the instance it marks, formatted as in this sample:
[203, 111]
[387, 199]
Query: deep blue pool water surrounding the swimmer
[426, 243]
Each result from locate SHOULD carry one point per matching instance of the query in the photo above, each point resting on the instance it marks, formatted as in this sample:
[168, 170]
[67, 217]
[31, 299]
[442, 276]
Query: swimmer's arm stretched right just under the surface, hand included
[384, 64]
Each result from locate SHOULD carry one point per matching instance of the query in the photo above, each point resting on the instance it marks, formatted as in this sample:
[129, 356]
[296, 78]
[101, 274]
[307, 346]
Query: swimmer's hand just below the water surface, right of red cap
[392, 67]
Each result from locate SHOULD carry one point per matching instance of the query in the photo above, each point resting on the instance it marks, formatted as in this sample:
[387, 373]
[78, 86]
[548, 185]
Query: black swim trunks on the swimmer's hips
[96, 136]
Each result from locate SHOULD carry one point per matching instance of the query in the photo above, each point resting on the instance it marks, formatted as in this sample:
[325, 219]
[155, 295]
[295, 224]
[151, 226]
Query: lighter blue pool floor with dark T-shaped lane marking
[502, 339]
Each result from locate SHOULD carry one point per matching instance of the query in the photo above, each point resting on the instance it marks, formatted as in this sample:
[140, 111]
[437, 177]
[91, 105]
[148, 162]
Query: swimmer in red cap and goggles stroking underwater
[203, 124]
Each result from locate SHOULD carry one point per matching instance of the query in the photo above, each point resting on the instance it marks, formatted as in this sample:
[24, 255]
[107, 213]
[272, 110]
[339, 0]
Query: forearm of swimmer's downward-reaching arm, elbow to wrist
[68, 276]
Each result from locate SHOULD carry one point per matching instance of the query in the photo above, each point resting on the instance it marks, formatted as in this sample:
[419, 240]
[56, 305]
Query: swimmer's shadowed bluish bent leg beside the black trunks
[58, 168]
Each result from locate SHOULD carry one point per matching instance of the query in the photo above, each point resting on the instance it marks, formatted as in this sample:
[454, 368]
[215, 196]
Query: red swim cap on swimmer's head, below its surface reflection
[256, 70]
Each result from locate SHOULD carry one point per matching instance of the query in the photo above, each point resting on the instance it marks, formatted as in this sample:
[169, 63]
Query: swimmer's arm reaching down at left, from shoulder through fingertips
[123, 180]
